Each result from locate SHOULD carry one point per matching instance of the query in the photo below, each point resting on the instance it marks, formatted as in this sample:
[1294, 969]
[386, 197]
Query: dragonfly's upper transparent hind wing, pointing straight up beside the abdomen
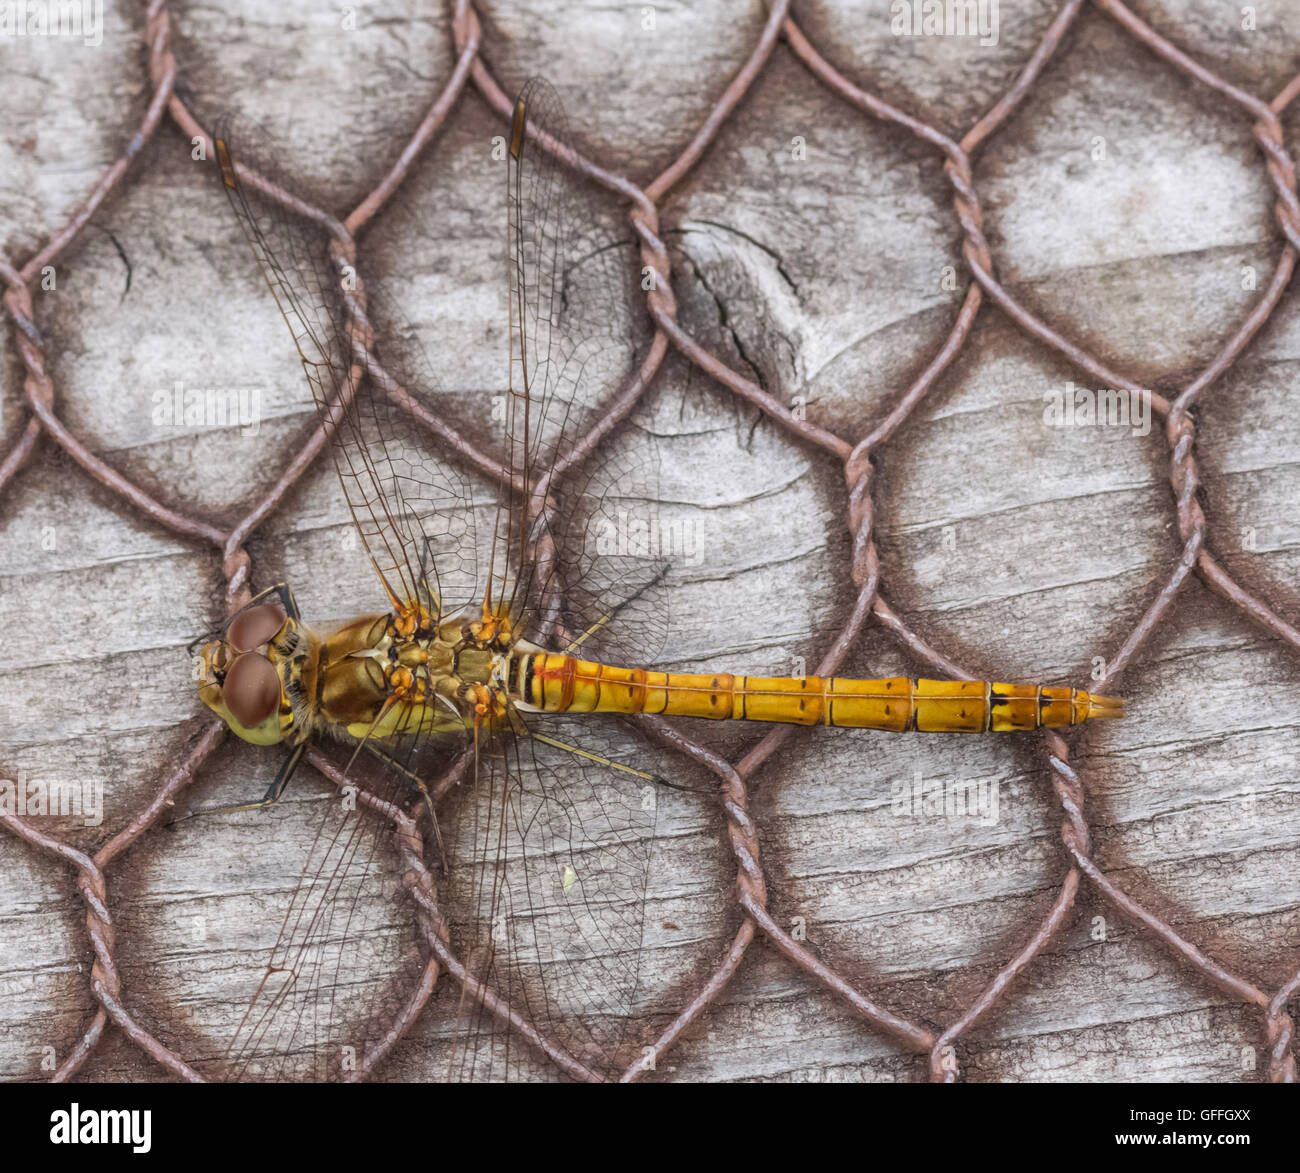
[586, 542]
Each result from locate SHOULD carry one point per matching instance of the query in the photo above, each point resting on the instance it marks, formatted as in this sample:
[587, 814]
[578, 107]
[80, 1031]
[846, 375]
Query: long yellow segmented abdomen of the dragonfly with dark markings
[557, 683]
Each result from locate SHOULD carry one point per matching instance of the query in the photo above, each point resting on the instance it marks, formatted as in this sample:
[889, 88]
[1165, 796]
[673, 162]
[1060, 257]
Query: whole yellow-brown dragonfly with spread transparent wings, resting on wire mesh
[501, 650]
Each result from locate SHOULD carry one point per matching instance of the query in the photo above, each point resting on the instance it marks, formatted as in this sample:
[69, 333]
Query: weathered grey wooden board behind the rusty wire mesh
[1126, 205]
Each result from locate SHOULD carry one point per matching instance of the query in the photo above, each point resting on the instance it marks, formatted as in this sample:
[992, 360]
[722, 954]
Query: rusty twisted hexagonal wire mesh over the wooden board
[855, 455]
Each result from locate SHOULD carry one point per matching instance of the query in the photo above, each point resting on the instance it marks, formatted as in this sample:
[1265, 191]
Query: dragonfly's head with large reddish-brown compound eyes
[244, 674]
